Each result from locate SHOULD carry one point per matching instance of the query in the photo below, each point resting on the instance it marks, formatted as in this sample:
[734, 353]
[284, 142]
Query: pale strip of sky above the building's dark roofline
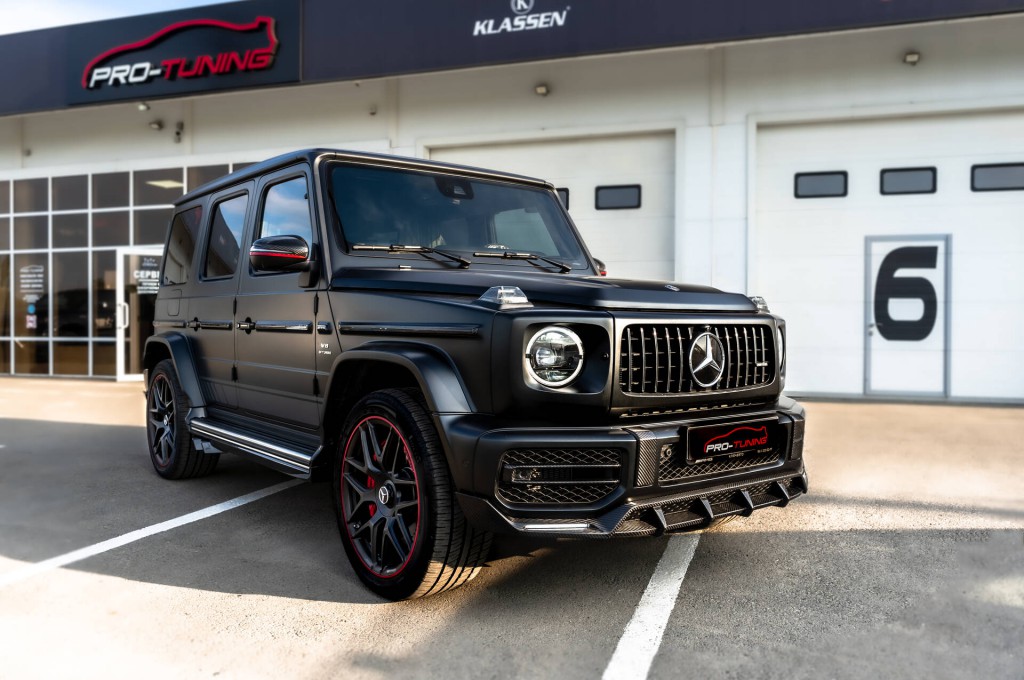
[21, 16]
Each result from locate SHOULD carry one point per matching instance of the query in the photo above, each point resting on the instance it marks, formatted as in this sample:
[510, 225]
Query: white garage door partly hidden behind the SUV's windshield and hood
[633, 231]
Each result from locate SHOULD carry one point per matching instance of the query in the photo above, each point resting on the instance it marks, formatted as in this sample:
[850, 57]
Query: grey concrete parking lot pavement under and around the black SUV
[907, 560]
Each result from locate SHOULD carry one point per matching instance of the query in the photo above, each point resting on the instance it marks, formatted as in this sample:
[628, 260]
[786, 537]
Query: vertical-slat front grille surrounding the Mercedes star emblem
[654, 359]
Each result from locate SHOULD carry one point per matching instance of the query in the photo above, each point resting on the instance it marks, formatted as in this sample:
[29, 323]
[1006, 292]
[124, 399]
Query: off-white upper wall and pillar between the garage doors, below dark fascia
[713, 93]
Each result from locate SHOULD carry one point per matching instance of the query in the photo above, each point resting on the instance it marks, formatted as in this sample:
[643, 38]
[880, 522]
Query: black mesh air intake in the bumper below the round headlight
[560, 477]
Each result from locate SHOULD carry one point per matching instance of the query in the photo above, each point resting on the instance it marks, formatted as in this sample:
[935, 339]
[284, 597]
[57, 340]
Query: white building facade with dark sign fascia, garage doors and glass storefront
[863, 171]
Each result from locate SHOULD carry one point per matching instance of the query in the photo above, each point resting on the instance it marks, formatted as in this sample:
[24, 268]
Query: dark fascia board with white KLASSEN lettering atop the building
[350, 40]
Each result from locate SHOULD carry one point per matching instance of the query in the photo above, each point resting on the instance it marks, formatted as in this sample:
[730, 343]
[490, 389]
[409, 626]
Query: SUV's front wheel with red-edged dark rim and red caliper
[402, 527]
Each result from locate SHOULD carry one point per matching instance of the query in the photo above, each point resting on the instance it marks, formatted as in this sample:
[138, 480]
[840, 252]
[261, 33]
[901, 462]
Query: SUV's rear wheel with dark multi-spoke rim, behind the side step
[172, 449]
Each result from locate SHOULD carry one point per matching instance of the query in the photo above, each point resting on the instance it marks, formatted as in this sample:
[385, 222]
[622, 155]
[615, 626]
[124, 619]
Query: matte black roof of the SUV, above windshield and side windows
[311, 156]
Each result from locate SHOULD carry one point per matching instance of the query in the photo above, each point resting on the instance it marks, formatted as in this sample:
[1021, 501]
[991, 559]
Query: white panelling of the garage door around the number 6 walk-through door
[810, 253]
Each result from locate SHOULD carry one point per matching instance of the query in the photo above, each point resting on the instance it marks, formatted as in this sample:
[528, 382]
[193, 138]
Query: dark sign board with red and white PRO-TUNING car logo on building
[237, 46]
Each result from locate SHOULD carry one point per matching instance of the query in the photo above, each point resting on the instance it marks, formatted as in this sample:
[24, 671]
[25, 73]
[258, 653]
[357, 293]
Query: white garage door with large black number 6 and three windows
[893, 248]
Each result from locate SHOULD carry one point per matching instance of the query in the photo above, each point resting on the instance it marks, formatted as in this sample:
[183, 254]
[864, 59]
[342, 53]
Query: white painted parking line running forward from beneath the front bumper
[643, 636]
